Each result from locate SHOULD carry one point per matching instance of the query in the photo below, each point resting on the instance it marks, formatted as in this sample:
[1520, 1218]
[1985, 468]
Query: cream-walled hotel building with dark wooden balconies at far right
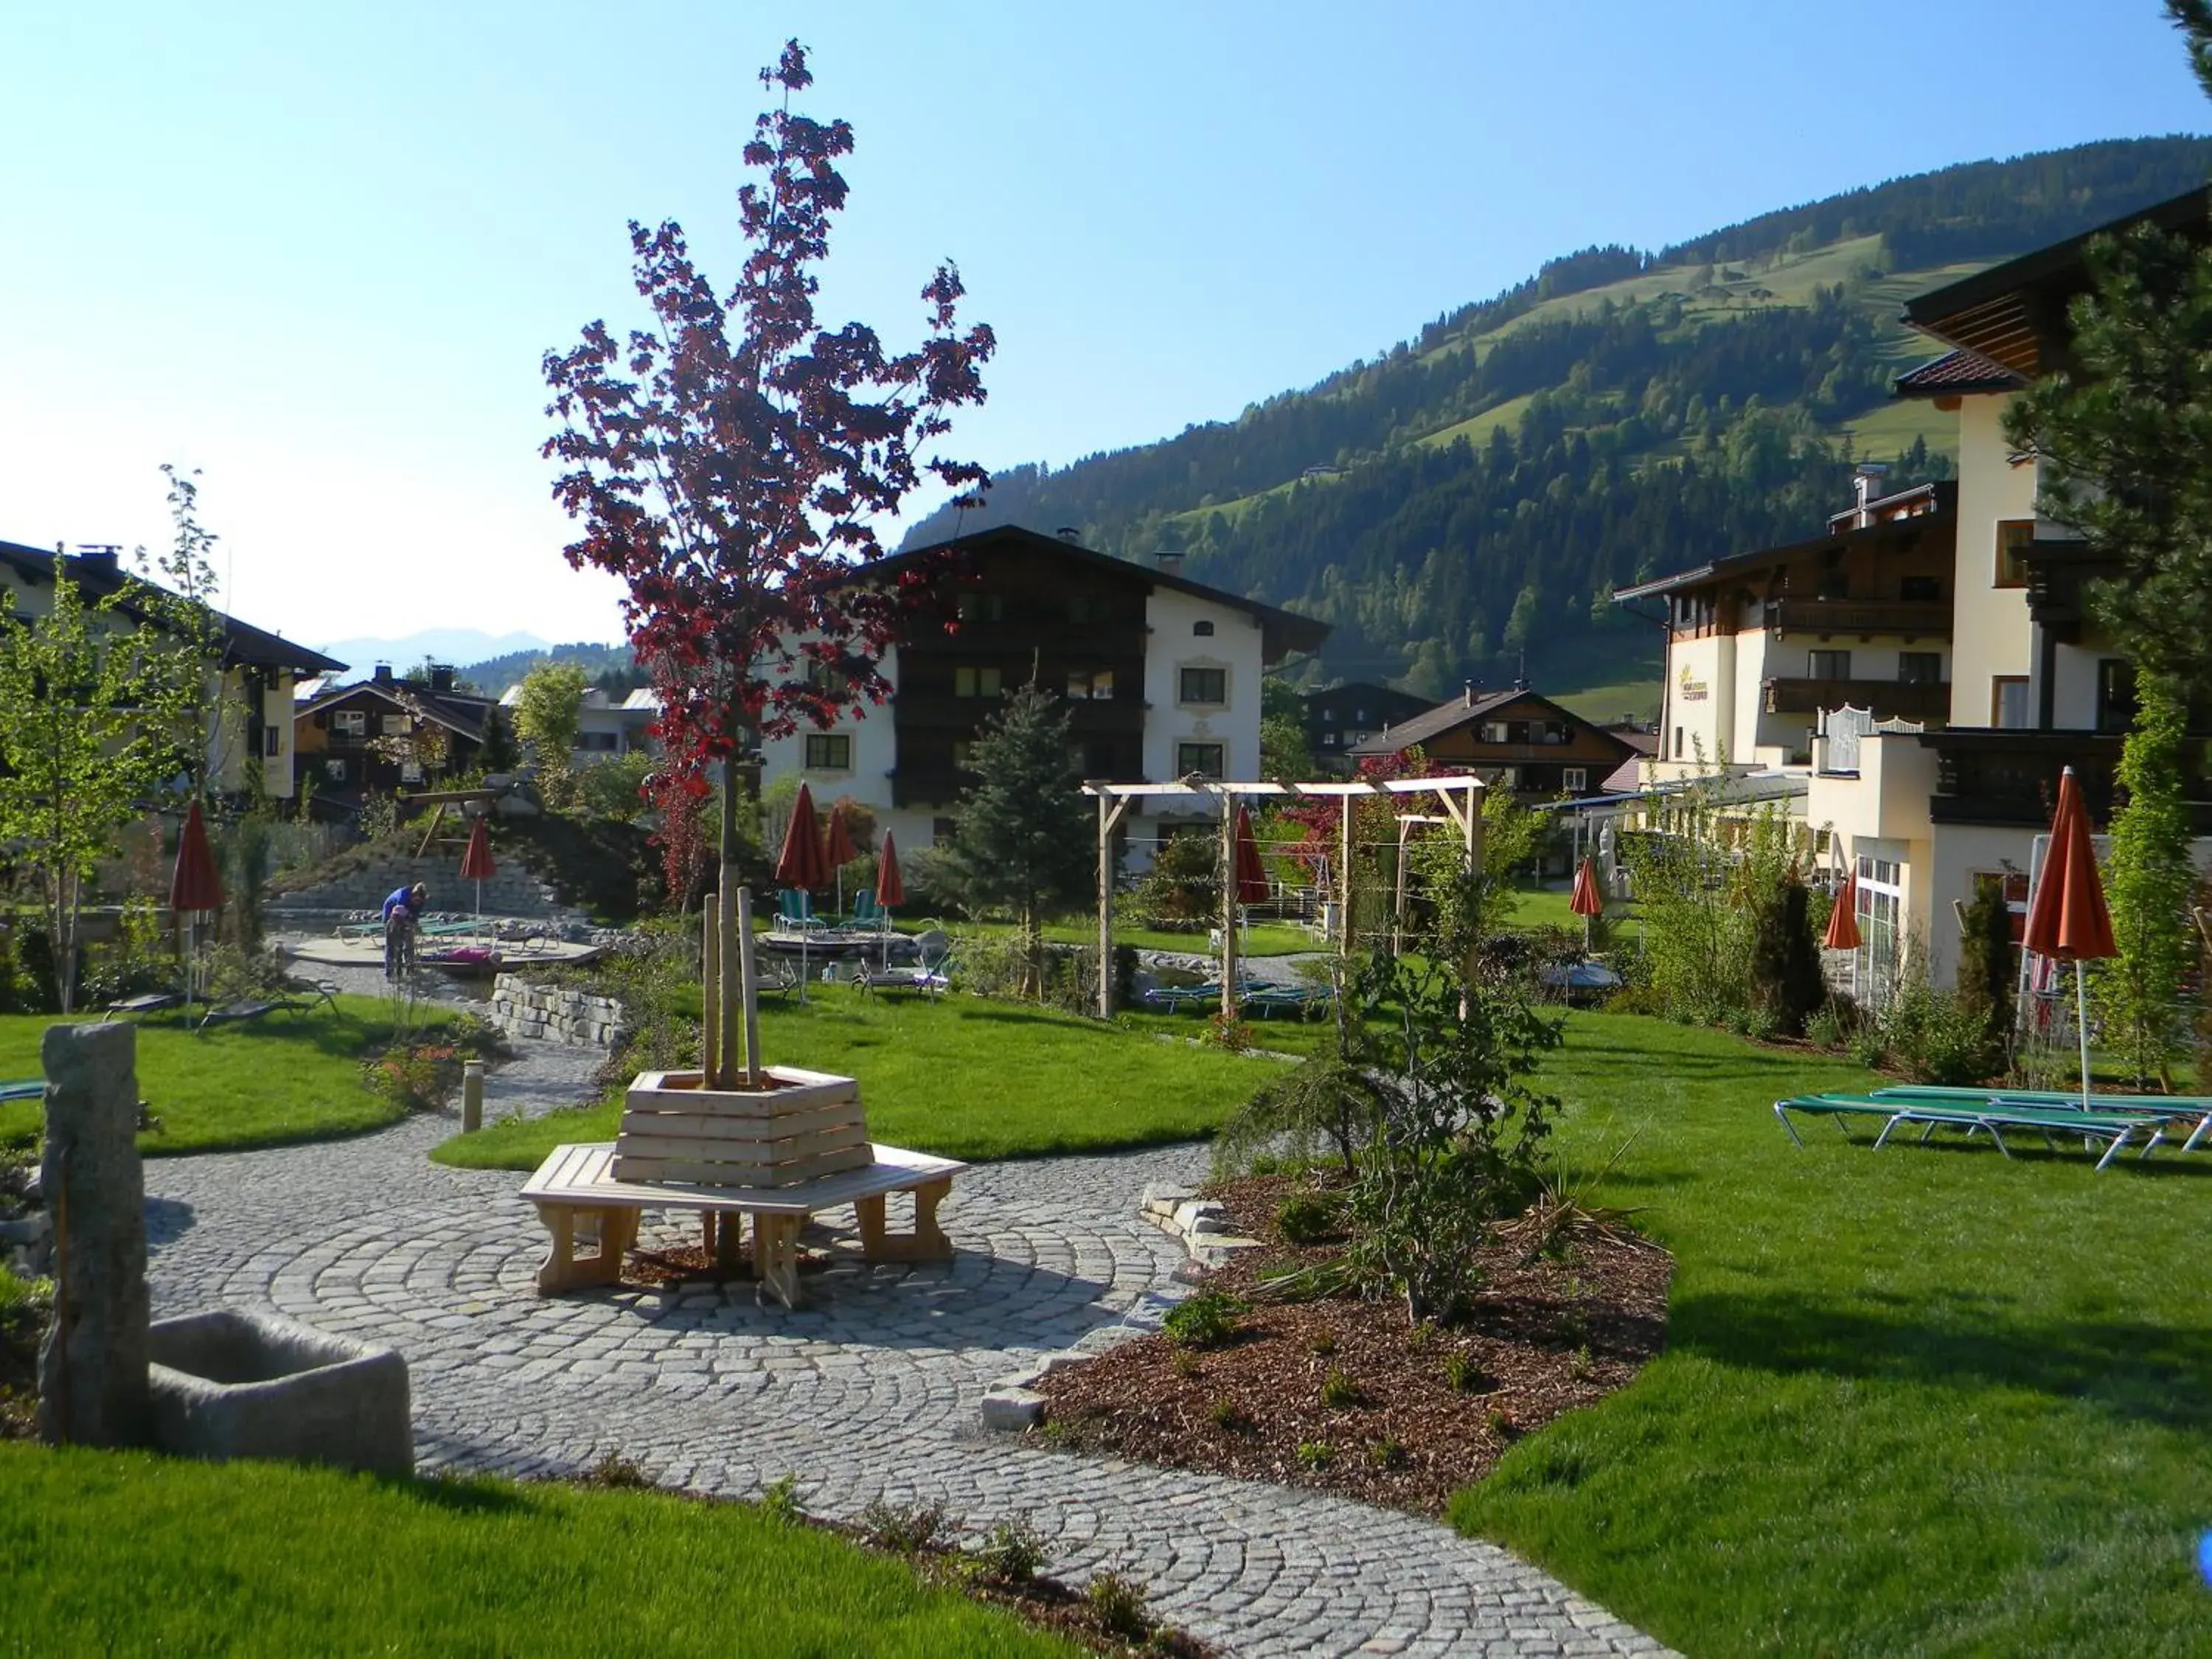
[1981, 689]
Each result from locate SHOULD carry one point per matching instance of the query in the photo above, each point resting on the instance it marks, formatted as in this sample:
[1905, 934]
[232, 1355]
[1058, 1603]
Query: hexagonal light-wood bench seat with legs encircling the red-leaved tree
[578, 1185]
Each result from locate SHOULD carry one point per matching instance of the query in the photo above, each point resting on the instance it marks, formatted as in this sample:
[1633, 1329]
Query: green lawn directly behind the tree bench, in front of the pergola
[961, 1076]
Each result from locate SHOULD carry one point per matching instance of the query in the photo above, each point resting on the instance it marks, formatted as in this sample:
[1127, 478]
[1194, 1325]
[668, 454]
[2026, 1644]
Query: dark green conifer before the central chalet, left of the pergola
[1023, 835]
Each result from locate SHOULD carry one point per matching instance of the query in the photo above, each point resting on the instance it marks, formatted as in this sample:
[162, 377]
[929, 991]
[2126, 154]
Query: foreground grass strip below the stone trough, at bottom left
[138, 1554]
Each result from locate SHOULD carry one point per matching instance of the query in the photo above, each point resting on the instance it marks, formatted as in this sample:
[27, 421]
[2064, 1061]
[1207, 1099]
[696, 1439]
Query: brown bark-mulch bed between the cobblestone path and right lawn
[1346, 1397]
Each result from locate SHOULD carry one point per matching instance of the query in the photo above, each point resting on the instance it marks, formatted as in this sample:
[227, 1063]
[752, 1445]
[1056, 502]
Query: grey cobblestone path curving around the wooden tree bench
[868, 1392]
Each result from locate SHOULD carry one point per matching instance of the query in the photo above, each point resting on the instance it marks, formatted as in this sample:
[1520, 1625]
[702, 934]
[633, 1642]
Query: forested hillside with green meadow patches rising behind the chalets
[1481, 490]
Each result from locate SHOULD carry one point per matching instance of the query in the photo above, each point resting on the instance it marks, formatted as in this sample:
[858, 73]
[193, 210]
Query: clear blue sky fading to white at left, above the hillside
[320, 251]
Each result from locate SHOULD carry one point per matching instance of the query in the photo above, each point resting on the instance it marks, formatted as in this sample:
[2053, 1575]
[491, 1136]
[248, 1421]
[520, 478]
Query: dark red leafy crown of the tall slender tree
[733, 461]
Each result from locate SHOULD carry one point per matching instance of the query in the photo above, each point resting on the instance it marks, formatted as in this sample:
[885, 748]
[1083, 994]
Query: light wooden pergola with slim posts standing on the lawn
[1461, 800]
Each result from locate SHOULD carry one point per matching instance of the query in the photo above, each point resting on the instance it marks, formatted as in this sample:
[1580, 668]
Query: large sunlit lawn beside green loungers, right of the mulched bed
[1914, 1401]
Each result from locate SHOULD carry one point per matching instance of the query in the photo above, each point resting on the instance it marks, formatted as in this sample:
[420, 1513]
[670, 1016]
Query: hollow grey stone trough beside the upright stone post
[238, 1384]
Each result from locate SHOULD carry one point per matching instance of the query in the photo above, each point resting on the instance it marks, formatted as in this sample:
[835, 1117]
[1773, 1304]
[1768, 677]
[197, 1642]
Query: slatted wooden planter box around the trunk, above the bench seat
[804, 1127]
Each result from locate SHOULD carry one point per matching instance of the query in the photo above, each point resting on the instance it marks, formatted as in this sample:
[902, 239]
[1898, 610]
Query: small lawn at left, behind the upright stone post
[273, 1081]
